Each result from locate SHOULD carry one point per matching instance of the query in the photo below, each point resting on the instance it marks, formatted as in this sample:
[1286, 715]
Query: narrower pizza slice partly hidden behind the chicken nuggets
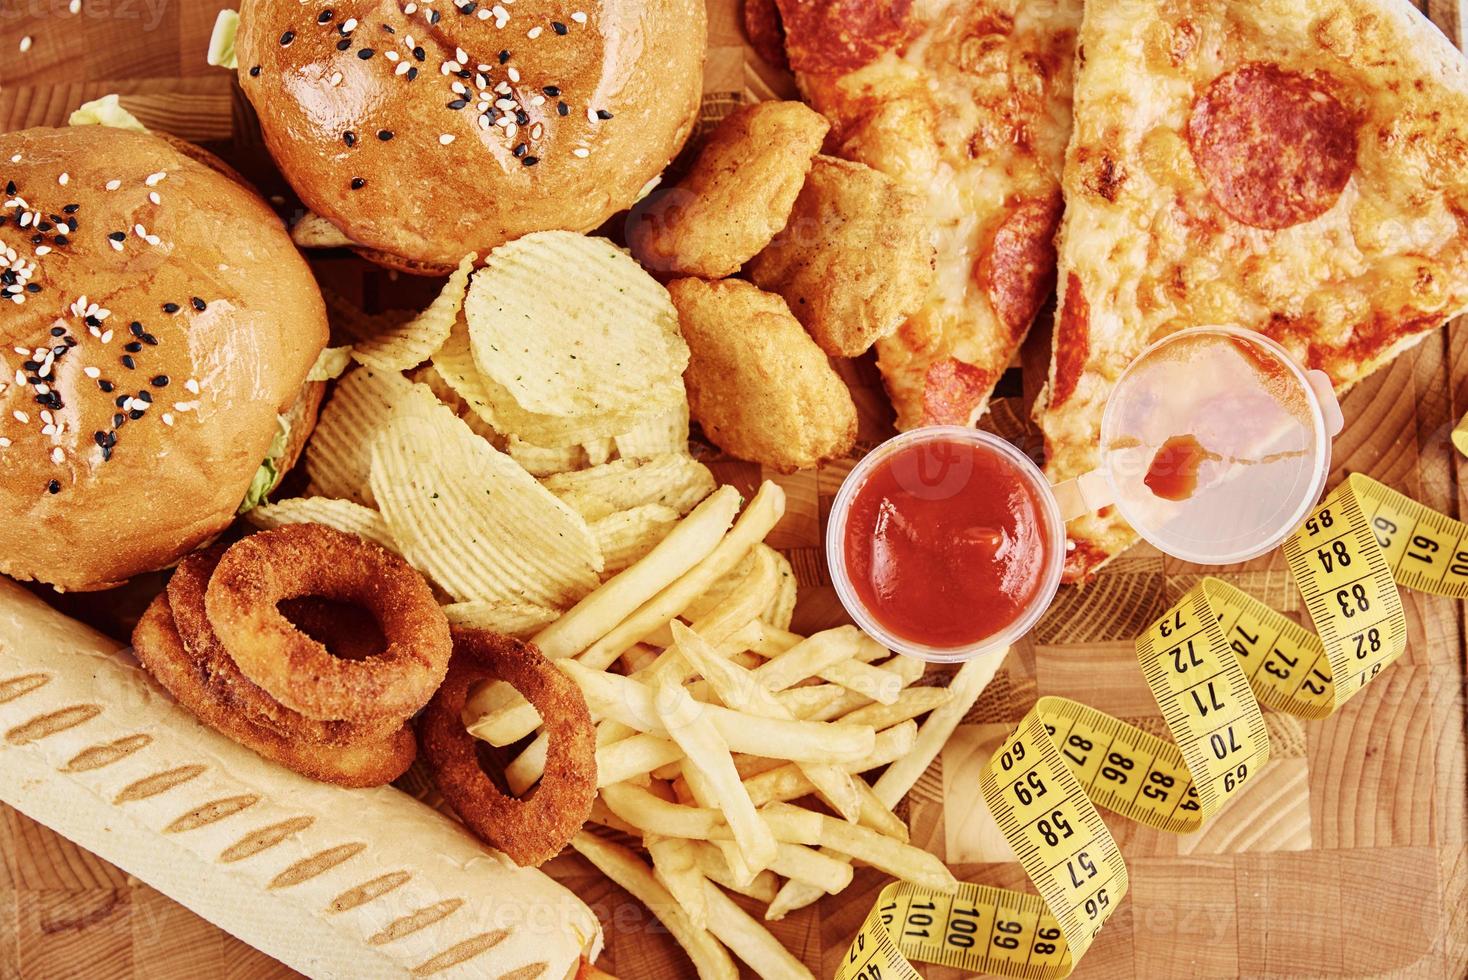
[967, 103]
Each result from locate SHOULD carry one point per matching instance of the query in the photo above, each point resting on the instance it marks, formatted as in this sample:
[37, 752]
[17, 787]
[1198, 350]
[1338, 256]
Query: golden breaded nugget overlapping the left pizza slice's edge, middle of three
[855, 260]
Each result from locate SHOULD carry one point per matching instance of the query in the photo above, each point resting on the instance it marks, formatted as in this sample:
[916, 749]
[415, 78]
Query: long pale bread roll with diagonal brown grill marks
[333, 882]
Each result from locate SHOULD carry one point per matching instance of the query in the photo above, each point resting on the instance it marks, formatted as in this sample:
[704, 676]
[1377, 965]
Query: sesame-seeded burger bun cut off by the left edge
[156, 325]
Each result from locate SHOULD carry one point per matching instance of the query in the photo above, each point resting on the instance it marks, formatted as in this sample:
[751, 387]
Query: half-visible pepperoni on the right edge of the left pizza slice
[1018, 271]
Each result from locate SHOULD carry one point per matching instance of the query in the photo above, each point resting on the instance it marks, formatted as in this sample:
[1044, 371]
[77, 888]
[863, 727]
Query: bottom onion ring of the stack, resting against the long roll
[161, 649]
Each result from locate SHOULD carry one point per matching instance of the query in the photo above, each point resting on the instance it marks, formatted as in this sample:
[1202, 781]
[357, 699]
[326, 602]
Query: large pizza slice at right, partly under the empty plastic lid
[1293, 167]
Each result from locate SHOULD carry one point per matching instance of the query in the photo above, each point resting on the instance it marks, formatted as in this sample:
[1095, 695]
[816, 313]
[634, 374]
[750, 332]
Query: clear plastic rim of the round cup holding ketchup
[1052, 529]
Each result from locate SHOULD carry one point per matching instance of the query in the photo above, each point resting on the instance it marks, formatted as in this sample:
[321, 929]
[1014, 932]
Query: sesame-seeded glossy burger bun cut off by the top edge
[426, 131]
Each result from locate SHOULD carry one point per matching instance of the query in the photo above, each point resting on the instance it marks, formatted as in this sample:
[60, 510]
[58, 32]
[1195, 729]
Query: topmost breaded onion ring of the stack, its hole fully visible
[312, 560]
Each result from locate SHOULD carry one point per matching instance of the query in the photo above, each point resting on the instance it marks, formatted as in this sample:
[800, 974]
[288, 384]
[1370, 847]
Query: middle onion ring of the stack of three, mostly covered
[227, 686]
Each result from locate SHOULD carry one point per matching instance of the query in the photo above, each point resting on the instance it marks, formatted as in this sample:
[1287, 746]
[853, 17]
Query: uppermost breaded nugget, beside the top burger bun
[738, 196]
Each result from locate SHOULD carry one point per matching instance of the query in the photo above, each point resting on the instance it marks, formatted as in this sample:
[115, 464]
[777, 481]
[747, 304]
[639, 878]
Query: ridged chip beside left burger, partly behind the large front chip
[340, 456]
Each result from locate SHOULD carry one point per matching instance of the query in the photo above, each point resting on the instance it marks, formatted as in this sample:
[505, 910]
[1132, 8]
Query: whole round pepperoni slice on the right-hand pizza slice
[1276, 149]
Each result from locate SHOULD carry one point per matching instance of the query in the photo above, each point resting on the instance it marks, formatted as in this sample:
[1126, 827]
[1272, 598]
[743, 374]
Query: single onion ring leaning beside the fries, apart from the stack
[535, 828]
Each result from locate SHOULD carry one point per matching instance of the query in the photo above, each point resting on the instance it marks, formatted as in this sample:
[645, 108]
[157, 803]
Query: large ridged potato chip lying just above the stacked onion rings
[472, 519]
